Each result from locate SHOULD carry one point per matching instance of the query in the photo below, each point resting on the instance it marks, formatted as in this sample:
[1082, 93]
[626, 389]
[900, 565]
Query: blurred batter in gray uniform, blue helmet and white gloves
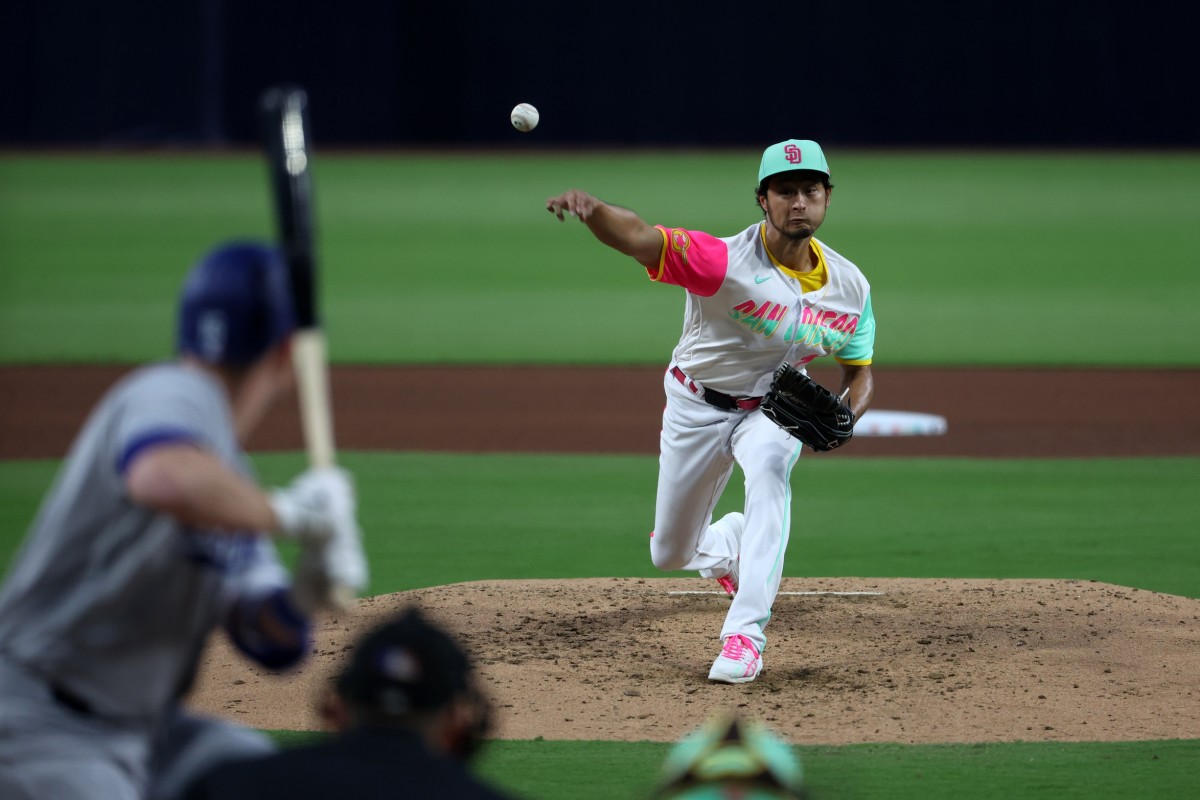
[154, 534]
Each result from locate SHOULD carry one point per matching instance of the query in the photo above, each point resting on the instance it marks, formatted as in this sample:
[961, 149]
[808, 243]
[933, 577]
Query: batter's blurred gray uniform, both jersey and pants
[107, 607]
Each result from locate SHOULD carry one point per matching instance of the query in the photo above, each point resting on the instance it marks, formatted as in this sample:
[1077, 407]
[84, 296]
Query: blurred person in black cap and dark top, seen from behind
[407, 715]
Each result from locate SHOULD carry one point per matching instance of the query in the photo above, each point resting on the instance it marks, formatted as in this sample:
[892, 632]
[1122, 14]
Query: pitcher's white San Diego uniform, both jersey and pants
[746, 315]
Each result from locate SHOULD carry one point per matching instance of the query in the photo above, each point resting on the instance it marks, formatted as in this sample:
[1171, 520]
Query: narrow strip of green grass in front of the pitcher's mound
[995, 772]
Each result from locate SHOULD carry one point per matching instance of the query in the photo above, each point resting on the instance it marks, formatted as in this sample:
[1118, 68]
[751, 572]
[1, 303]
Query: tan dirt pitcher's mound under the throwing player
[849, 660]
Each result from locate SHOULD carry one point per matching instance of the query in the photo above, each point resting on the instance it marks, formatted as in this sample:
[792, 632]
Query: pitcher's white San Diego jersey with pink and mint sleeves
[747, 314]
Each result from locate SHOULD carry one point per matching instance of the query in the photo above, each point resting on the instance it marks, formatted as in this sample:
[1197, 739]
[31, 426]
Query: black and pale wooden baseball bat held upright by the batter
[286, 139]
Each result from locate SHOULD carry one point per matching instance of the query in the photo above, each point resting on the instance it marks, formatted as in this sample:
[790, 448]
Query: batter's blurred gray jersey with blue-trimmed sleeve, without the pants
[112, 600]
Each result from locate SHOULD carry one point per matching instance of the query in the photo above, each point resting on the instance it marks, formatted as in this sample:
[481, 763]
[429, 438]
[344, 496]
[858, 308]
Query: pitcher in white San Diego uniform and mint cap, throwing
[770, 294]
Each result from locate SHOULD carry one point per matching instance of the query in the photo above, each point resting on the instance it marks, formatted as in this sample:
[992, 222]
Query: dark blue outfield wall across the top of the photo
[982, 73]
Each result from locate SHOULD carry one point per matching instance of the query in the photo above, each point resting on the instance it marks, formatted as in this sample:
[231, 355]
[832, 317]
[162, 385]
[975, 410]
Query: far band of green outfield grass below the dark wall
[1039, 260]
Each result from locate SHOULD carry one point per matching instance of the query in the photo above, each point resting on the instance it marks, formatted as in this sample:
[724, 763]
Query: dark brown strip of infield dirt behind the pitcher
[992, 413]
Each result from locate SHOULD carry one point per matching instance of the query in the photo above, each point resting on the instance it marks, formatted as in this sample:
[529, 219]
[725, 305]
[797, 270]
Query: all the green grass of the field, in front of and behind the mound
[976, 260]
